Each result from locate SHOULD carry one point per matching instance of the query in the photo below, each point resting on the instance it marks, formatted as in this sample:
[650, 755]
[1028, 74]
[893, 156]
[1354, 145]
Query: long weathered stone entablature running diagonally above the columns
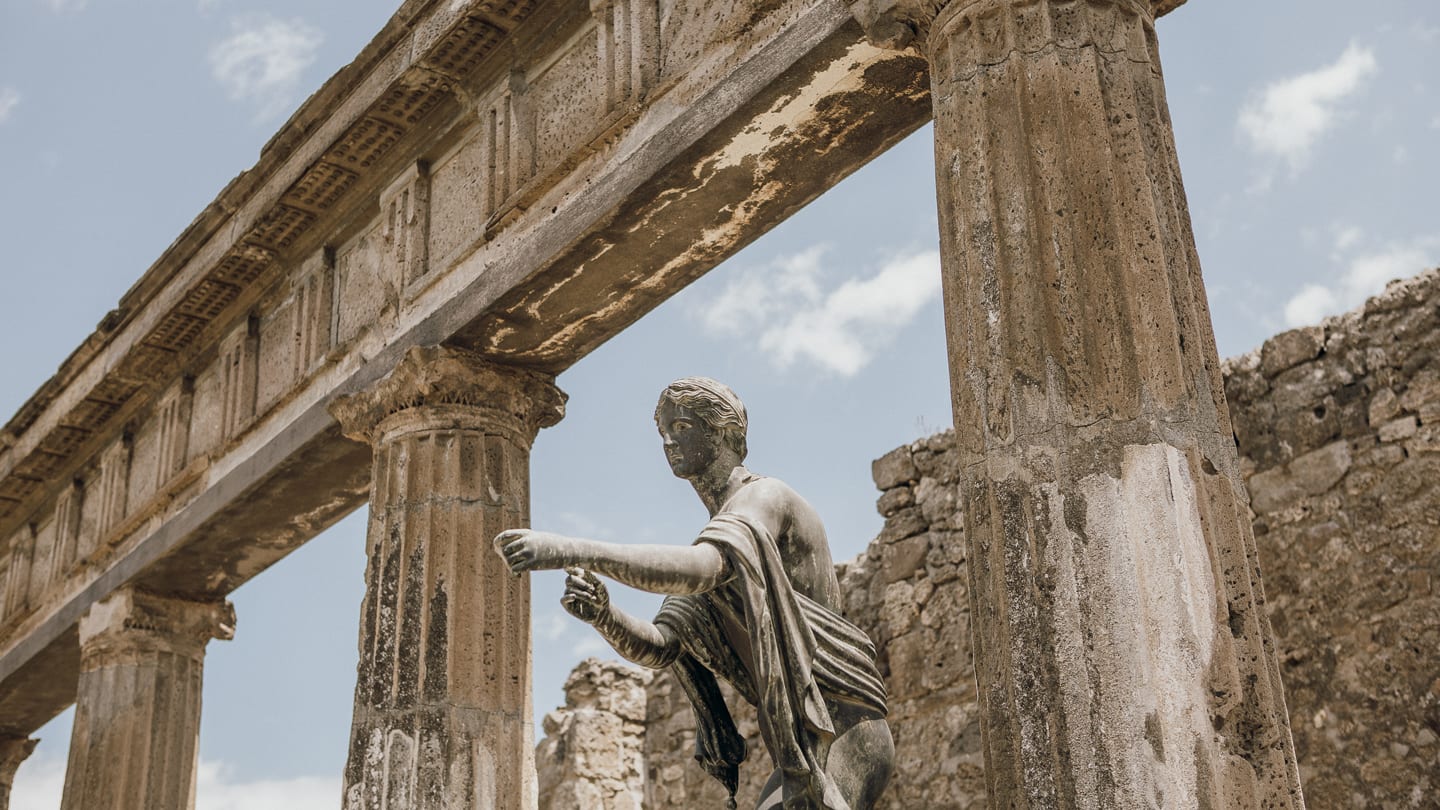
[518, 179]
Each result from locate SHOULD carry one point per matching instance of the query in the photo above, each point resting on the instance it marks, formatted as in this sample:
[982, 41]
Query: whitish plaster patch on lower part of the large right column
[1148, 560]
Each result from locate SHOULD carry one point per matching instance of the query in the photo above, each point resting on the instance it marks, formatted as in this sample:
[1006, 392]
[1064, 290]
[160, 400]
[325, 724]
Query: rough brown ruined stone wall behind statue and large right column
[1338, 429]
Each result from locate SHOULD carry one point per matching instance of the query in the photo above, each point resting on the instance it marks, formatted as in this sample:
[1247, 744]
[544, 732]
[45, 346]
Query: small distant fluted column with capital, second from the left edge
[138, 710]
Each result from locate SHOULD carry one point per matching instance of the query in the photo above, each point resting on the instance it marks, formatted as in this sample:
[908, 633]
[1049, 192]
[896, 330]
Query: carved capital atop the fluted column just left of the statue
[441, 378]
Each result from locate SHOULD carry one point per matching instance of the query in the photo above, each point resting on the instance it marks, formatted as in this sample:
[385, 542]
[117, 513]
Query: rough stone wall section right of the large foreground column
[1340, 432]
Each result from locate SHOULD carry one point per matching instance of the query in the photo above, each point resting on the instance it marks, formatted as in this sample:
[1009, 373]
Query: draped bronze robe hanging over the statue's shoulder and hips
[801, 659]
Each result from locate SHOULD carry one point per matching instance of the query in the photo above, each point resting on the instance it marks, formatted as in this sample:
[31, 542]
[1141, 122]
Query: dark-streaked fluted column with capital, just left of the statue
[443, 710]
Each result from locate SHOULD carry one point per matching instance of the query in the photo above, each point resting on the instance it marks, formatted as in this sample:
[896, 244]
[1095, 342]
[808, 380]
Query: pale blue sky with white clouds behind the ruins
[1307, 135]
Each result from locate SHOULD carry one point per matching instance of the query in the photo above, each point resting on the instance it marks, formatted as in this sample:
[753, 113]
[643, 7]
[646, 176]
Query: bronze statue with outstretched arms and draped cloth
[755, 602]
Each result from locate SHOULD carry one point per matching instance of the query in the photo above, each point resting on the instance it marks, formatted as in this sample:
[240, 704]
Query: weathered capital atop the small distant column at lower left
[135, 623]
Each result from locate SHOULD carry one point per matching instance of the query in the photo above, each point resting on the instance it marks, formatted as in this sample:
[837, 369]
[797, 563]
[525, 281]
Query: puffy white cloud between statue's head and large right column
[788, 313]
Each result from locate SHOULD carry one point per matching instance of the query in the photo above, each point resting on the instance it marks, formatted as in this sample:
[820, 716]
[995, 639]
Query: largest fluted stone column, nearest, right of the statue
[1124, 655]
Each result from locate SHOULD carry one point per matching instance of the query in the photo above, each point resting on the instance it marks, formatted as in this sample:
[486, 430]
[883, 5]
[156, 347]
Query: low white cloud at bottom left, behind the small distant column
[41, 782]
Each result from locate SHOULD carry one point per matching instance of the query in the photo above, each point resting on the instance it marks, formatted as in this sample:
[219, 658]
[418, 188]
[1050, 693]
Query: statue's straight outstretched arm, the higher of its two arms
[659, 570]
